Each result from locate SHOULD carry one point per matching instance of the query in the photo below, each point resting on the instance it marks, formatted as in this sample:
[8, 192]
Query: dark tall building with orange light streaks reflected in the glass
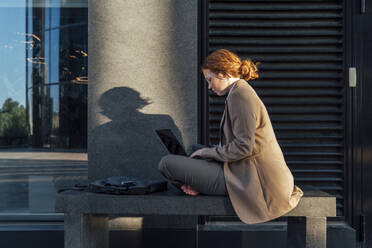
[57, 76]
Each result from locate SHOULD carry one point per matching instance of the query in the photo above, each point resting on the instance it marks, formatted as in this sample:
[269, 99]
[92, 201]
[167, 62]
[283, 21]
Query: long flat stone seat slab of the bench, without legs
[174, 203]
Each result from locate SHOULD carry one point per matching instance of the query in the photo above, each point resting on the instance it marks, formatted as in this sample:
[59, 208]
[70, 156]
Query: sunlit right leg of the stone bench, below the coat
[307, 232]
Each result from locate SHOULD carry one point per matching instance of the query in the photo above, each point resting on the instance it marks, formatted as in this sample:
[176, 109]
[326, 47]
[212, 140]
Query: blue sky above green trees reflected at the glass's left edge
[12, 78]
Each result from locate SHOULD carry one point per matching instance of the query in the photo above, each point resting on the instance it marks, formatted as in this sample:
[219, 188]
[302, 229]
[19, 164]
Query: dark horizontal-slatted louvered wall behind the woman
[301, 47]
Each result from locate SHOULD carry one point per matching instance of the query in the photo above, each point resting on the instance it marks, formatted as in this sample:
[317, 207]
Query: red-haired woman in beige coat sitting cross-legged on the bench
[248, 164]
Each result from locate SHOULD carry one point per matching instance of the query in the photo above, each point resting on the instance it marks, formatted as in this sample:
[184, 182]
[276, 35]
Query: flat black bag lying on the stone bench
[122, 185]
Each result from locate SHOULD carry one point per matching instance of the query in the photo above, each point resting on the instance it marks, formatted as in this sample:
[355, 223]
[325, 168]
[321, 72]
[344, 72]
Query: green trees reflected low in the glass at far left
[13, 121]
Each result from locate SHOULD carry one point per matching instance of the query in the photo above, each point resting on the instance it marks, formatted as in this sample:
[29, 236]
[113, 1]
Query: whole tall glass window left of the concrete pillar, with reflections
[43, 101]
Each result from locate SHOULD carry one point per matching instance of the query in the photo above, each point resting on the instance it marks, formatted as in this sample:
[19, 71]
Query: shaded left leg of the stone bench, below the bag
[86, 231]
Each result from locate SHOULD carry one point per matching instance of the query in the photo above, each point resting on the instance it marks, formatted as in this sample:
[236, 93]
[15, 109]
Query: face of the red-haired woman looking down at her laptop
[218, 83]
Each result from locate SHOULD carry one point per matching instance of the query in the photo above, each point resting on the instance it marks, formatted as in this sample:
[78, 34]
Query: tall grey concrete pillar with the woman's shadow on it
[142, 76]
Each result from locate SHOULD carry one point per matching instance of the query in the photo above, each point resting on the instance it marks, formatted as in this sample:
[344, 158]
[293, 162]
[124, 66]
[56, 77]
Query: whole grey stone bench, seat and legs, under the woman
[86, 214]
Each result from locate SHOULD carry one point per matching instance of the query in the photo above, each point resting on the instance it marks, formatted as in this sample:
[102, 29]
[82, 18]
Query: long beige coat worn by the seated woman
[258, 181]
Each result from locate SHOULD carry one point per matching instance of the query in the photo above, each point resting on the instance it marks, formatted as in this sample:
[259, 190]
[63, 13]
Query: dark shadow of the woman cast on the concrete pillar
[127, 145]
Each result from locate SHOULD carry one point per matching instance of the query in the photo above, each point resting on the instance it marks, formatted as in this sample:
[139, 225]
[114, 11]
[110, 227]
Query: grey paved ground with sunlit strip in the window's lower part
[29, 179]
